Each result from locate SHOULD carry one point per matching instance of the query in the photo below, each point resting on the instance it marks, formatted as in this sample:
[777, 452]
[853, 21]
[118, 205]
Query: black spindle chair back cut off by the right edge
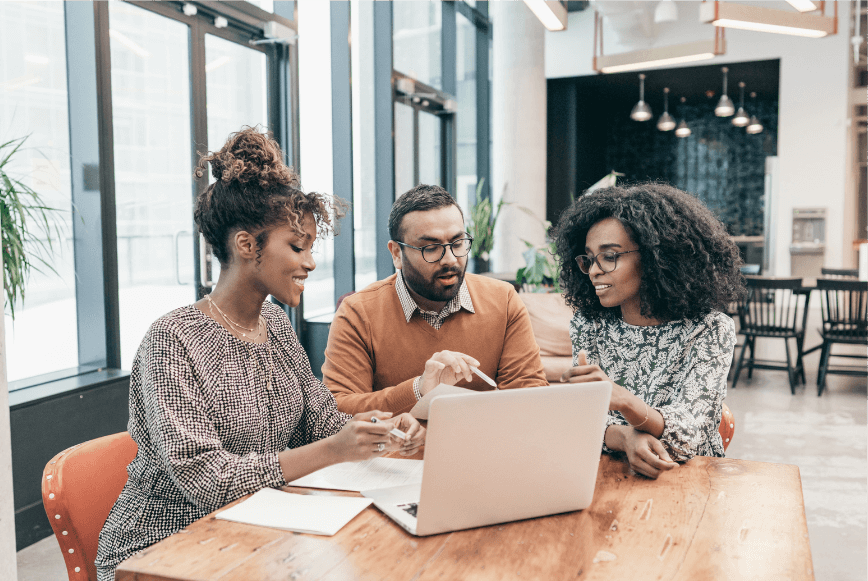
[844, 305]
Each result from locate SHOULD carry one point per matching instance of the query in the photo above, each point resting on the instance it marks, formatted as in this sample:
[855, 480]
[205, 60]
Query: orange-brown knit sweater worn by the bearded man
[374, 355]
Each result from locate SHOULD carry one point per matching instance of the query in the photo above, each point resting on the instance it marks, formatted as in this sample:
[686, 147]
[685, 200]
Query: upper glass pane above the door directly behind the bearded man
[416, 40]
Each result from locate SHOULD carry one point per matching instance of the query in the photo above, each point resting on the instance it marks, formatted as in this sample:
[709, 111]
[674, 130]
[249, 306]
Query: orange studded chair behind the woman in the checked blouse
[79, 487]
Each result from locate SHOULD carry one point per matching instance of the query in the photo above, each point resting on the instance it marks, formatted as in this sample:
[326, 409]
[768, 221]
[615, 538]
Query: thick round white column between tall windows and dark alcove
[518, 100]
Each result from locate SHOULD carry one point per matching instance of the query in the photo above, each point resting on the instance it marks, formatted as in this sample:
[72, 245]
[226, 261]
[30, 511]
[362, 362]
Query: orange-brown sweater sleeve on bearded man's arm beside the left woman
[348, 370]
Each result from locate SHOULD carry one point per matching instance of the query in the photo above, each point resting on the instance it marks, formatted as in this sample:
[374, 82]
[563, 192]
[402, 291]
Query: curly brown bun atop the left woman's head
[249, 156]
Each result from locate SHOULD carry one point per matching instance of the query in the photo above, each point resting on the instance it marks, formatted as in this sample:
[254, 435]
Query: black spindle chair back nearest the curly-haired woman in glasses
[771, 305]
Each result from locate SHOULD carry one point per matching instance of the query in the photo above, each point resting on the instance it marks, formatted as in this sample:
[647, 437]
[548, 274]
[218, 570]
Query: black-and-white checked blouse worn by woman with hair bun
[208, 424]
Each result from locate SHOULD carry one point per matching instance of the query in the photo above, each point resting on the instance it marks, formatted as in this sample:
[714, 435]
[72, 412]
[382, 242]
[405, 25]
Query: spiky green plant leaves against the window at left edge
[26, 229]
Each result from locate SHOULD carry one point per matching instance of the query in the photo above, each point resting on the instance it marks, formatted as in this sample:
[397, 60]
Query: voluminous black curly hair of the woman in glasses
[690, 266]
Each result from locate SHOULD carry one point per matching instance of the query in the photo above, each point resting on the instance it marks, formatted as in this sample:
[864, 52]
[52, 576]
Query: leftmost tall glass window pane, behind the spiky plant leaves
[33, 101]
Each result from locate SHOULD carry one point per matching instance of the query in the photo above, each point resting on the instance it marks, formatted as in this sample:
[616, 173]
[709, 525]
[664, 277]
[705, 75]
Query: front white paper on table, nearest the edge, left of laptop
[316, 515]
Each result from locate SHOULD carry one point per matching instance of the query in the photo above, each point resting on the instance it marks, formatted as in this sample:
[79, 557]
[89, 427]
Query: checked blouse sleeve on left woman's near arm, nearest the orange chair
[183, 435]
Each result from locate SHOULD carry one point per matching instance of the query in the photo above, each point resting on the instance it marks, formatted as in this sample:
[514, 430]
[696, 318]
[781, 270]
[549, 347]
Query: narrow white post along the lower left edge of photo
[8, 563]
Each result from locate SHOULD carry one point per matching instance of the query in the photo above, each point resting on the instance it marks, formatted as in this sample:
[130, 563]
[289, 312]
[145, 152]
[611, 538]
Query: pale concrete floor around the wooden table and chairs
[827, 438]
